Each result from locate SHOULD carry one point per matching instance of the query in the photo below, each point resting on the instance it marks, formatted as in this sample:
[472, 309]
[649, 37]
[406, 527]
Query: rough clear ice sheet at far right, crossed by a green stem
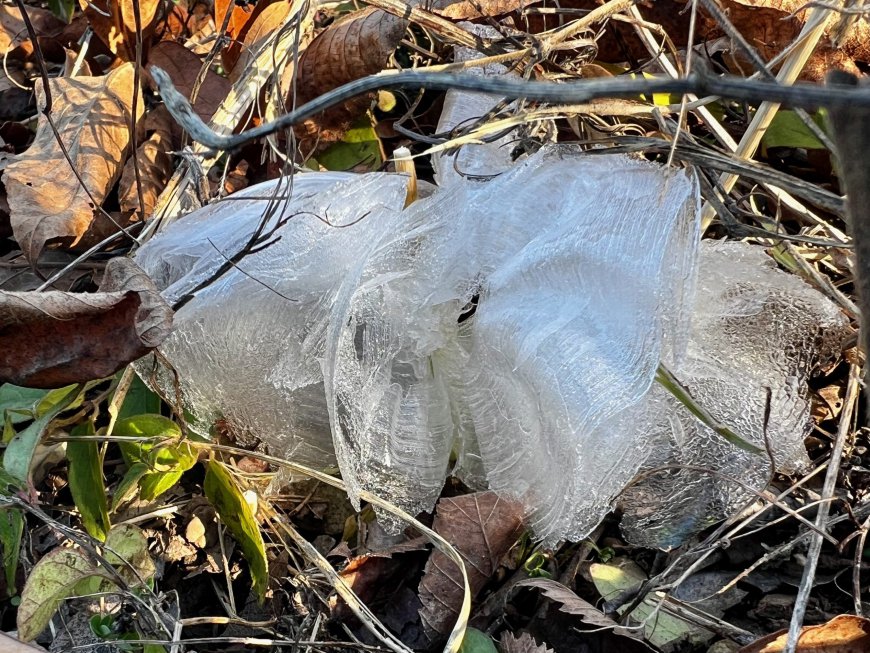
[756, 335]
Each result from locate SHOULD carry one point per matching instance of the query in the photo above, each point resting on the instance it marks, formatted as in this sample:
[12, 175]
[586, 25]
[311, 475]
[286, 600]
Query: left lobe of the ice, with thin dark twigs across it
[247, 348]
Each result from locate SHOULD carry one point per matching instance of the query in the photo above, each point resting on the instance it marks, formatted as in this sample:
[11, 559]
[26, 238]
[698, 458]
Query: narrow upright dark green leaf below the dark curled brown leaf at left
[86, 482]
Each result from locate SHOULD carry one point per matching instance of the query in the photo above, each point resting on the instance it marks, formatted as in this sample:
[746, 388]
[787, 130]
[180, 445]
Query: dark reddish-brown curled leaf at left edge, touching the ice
[52, 339]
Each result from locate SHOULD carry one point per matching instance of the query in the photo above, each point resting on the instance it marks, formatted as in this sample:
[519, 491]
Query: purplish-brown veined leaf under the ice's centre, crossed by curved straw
[482, 527]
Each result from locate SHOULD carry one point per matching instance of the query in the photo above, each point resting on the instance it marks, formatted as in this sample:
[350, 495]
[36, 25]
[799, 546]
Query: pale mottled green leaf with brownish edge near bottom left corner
[57, 576]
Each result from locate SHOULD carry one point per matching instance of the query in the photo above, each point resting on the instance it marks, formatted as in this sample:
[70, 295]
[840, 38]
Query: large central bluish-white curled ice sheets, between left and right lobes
[573, 263]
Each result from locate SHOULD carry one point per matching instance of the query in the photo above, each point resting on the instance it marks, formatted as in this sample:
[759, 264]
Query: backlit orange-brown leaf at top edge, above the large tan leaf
[114, 22]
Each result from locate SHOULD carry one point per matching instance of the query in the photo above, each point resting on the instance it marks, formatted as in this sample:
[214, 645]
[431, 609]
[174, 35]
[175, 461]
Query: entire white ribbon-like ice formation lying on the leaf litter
[513, 326]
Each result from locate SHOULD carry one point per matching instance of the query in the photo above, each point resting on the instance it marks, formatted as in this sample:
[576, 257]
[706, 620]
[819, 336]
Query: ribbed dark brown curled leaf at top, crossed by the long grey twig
[359, 44]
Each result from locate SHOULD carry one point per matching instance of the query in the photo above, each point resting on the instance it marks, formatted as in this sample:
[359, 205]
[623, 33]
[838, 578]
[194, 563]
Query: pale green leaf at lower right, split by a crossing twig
[612, 580]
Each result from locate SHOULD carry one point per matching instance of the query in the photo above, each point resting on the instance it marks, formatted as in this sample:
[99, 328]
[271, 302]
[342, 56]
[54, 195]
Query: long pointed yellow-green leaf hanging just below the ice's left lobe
[226, 497]
